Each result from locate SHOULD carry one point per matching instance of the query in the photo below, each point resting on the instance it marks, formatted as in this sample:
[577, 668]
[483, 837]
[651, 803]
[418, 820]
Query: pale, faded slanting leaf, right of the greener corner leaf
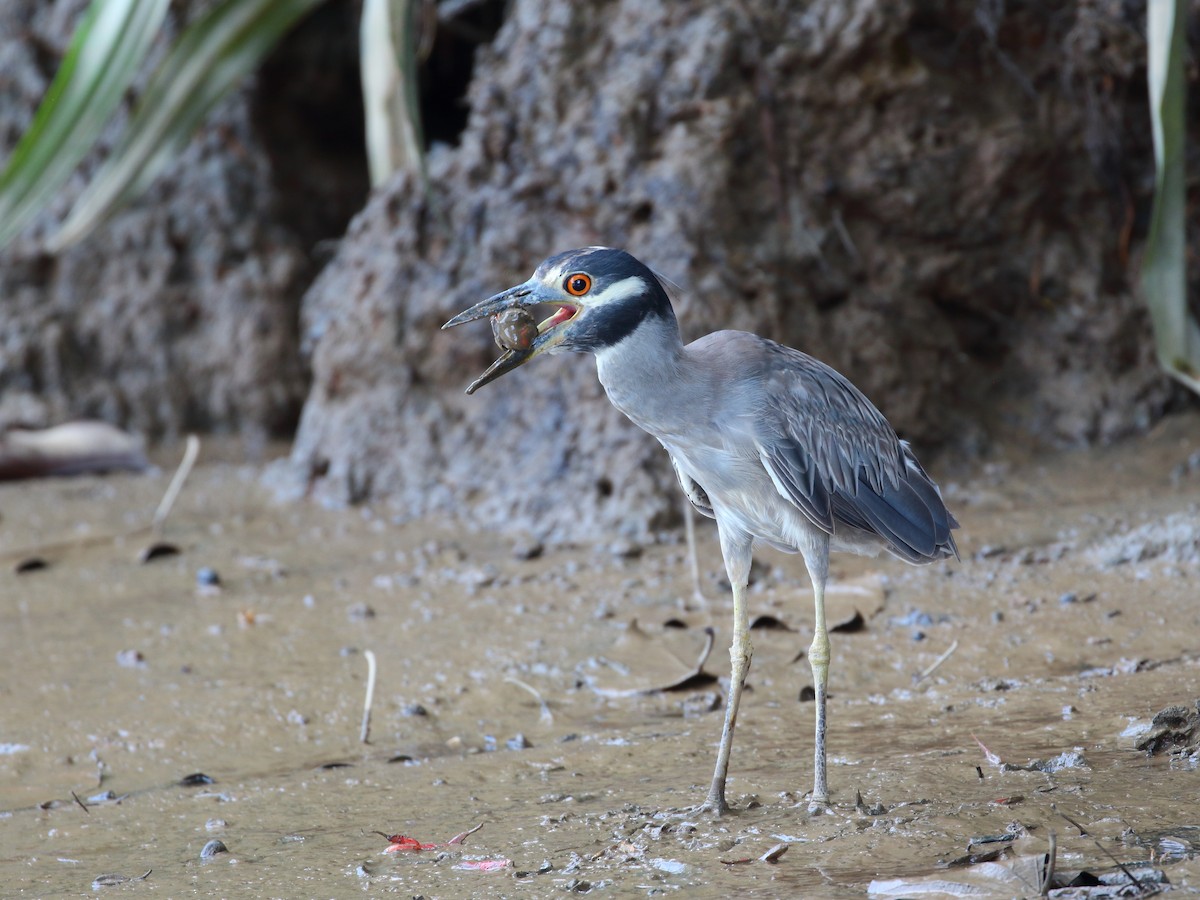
[212, 56]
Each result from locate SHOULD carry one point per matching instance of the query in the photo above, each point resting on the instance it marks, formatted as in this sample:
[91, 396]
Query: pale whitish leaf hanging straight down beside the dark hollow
[388, 61]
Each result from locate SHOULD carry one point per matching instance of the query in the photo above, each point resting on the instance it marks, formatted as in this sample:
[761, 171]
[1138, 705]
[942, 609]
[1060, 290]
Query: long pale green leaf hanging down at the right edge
[1165, 265]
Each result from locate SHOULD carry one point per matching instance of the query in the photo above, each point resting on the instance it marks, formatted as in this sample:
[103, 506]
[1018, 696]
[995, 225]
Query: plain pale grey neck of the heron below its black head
[641, 374]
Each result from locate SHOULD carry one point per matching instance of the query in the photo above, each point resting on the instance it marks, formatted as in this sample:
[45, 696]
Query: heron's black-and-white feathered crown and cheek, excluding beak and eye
[625, 293]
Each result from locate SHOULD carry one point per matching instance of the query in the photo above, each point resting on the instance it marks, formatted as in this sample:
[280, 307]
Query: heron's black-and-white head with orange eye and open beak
[598, 298]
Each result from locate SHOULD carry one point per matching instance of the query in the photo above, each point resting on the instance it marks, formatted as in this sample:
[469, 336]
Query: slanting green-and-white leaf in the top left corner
[107, 50]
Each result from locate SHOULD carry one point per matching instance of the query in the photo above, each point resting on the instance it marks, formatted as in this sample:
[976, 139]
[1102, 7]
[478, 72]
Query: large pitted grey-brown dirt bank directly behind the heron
[944, 201]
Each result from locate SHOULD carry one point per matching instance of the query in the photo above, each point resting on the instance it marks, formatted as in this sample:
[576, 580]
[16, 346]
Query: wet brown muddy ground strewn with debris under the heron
[503, 695]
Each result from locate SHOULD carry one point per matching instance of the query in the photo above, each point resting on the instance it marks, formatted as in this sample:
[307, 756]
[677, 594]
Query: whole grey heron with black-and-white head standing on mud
[773, 445]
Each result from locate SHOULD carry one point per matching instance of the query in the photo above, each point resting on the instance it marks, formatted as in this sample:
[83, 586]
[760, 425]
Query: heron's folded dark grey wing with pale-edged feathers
[832, 453]
